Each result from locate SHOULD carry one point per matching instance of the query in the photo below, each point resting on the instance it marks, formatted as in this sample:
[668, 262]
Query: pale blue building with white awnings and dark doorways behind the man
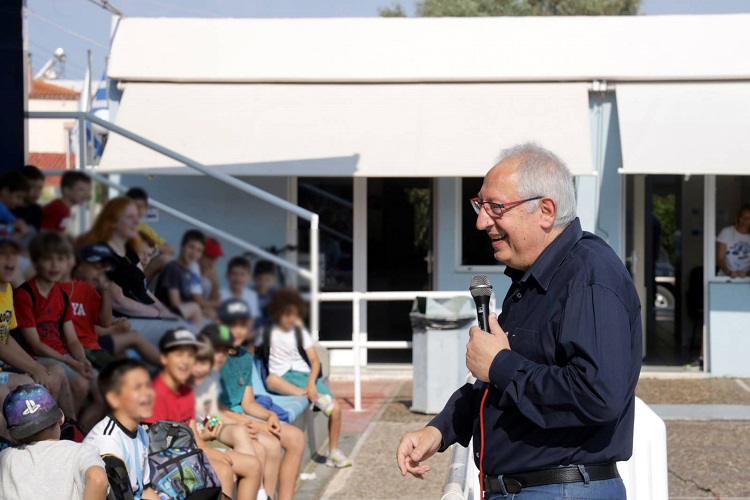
[386, 126]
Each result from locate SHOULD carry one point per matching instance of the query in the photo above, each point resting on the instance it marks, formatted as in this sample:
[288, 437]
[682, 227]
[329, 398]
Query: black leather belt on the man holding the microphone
[514, 483]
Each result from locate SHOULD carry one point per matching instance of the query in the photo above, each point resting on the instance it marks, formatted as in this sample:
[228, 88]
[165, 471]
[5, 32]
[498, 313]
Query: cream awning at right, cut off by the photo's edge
[685, 128]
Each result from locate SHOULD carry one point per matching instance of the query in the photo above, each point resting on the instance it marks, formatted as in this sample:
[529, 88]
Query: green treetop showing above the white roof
[481, 8]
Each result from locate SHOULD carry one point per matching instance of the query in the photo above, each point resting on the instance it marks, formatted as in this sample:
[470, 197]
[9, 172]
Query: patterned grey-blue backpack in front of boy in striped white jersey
[179, 469]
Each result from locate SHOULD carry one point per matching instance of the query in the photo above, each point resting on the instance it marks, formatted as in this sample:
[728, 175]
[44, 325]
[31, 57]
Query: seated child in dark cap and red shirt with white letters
[90, 295]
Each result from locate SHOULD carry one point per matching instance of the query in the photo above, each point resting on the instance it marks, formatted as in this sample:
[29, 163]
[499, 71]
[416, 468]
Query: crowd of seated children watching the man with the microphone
[65, 365]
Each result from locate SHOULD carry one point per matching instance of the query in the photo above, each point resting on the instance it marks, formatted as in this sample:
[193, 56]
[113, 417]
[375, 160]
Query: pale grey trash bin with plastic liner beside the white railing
[440, 331]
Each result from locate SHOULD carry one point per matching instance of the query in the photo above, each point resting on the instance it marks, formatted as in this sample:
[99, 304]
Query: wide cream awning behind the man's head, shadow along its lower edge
[392, 130]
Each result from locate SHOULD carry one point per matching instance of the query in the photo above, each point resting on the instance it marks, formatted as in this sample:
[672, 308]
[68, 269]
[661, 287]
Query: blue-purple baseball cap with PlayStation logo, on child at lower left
[30, 409]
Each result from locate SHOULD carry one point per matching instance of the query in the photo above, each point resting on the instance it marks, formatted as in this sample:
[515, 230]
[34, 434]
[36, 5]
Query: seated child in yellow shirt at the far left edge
[17, 360]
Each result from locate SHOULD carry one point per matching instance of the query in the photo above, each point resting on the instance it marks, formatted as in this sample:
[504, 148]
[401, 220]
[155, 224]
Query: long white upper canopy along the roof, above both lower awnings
[376, 50]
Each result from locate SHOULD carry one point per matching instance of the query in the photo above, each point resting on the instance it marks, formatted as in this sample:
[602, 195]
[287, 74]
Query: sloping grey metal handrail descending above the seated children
[312, 274]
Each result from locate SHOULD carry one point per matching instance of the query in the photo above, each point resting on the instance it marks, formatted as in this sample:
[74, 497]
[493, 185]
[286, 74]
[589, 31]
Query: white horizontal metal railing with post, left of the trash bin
[356, 343]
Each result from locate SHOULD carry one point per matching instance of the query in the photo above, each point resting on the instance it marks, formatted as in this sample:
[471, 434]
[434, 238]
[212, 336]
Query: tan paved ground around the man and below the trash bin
[707, 458]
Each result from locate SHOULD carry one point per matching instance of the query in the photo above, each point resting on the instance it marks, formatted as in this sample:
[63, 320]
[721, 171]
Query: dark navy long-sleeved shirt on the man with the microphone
[564, 392]
